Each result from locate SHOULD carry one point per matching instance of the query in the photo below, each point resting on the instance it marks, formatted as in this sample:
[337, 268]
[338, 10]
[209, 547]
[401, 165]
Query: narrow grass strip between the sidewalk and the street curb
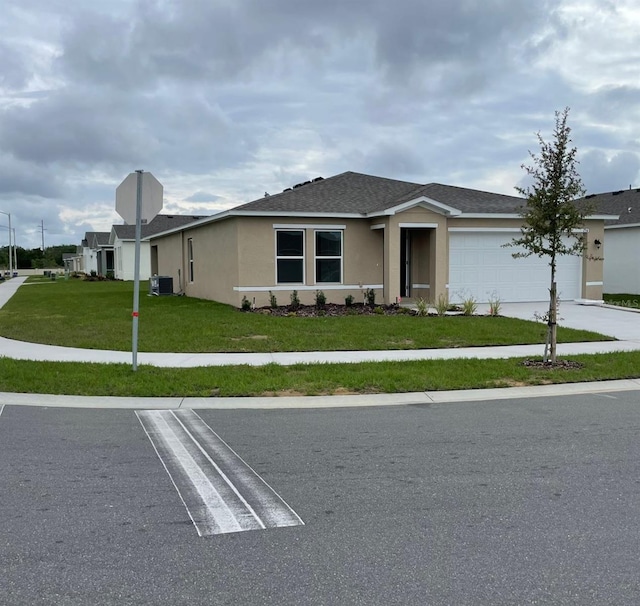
[87, 379]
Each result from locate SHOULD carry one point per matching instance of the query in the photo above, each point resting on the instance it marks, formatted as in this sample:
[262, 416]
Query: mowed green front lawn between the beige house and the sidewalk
[97, 315]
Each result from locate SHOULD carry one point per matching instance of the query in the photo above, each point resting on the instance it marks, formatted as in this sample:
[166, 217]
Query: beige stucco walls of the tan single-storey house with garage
[235, 257]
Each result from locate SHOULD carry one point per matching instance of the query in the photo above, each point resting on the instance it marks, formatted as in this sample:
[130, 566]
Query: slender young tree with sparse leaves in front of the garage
[552, 219]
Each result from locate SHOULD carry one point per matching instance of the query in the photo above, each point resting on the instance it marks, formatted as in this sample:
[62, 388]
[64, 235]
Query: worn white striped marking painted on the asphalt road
[220, 491]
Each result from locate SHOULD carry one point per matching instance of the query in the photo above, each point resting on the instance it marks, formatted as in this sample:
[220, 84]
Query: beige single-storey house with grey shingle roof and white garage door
[351, 232]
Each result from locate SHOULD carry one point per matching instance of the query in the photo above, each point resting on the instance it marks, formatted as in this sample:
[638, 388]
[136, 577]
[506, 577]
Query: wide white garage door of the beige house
[479, 266]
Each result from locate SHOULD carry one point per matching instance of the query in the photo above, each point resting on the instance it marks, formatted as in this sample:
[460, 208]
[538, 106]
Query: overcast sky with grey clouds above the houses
[223, 100]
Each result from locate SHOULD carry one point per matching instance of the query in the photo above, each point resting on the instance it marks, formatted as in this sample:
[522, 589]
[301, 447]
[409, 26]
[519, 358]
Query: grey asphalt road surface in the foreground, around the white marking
[530, 501]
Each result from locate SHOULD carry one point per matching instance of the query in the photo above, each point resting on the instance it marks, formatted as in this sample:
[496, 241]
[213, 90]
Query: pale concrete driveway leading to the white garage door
[608, 320]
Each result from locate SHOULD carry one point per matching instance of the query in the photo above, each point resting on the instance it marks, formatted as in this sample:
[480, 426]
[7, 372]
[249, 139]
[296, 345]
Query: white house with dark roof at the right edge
[622, 235]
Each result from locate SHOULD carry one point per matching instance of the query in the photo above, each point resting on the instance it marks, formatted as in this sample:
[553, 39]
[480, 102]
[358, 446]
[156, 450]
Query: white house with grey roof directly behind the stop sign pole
[123, 240]
